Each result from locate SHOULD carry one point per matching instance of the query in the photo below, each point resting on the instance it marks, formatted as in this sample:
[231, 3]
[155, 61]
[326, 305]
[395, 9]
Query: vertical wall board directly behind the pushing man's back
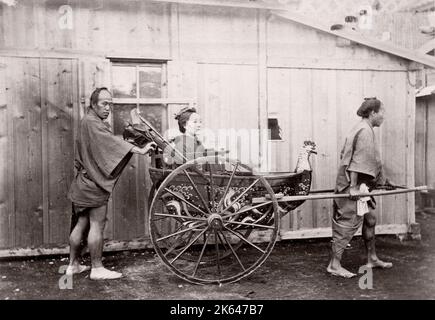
[59, 99]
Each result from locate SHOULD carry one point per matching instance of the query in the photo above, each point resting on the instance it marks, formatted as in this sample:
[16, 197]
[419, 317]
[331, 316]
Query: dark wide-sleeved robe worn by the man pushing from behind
[99, 160]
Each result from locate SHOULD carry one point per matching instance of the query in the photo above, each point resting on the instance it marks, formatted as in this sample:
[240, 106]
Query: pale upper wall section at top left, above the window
[138, 28]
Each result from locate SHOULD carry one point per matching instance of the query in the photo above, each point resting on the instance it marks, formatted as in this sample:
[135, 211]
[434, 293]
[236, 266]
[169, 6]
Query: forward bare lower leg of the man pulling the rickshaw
[368, 233]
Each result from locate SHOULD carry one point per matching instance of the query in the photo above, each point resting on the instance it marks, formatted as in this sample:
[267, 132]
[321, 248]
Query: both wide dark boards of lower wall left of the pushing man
[41, 95]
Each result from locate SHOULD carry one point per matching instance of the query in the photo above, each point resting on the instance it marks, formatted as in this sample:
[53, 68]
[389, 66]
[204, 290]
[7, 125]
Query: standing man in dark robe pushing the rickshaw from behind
[99, 160]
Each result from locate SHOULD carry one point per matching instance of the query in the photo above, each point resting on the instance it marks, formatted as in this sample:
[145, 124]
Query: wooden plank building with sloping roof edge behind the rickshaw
[242, 62]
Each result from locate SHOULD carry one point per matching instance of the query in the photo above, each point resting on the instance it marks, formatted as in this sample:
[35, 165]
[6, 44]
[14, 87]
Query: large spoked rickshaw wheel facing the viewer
[204, 226]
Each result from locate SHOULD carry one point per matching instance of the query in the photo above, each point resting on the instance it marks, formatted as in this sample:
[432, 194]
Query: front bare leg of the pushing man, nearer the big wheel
[97, 220]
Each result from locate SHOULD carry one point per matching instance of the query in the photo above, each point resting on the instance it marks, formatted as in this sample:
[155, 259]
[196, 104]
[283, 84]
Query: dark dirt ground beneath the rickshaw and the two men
[294, 270]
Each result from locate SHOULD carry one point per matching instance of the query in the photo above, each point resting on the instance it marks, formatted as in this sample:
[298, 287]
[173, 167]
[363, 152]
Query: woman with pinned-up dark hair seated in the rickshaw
[187, 144]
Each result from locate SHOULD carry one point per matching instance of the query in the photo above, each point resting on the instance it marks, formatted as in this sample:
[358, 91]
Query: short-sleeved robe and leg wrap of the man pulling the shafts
[359, 154]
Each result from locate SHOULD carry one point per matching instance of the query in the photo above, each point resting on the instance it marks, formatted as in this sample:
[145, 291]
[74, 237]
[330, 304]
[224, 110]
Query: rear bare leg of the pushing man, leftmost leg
[75, 239]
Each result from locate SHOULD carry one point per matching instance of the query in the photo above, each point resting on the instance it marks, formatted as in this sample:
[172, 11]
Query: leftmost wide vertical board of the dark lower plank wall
[23, 79]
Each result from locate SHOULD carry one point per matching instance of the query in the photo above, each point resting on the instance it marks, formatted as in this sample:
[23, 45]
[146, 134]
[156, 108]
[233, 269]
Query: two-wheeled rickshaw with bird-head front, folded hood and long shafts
[213, 220]
